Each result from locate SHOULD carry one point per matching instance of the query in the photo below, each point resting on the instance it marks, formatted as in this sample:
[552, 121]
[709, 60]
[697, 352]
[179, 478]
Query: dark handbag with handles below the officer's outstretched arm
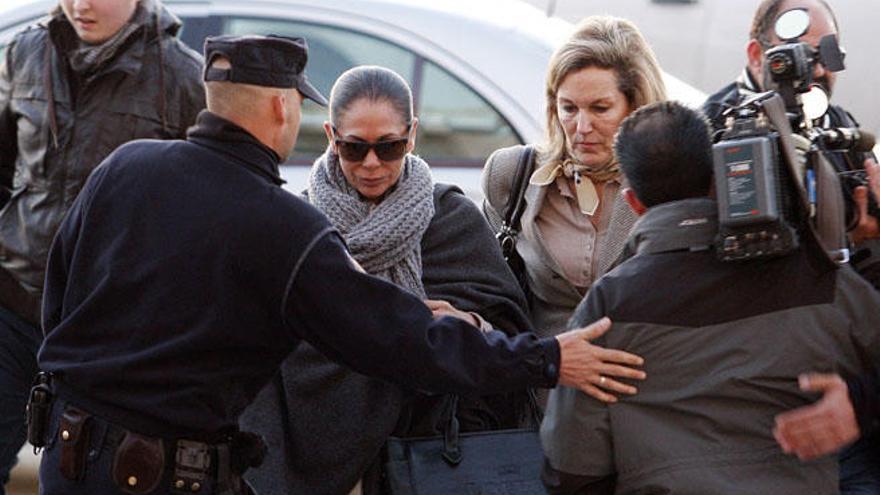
[487, 462]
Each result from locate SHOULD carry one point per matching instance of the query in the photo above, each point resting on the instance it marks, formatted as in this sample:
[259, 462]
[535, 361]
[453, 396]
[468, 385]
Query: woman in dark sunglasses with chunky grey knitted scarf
[402, 227]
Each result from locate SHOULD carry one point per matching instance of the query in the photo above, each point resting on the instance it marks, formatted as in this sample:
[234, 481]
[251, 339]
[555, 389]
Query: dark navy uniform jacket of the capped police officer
[184, 274]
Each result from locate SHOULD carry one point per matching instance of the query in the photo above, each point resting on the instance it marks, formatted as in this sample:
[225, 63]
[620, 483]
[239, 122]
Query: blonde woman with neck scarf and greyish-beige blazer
[575, 222]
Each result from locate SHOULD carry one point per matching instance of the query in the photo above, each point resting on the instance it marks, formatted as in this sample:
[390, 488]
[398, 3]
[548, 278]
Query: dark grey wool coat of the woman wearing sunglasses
[326, 425]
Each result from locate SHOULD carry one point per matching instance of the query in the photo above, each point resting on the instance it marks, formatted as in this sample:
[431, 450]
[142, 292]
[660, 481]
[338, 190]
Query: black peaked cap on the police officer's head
[273, 61]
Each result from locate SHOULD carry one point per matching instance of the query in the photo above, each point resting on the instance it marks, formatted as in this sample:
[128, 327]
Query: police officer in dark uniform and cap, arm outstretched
[184, 274]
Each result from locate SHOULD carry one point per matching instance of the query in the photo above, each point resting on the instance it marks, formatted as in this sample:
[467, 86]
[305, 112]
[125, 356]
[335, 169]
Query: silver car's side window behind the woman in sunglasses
[457, 126]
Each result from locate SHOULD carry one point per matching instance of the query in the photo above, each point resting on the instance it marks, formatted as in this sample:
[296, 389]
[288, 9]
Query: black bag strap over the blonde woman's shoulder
[510, 224]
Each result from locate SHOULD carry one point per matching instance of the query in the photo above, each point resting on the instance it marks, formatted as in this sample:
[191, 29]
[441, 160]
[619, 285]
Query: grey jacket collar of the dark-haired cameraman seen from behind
[689, 224]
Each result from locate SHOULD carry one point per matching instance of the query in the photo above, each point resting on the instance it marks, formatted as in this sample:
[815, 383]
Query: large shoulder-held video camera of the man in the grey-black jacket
[772, 179]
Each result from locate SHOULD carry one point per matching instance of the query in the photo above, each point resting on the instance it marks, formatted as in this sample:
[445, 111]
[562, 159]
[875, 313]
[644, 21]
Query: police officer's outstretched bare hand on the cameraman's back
[590, 368]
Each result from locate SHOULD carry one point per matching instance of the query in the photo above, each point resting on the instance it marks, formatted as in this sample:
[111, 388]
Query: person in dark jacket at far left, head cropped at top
[93, 75]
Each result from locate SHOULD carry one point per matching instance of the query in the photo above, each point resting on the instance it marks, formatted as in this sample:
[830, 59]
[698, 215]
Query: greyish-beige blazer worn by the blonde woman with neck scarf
[553, 298]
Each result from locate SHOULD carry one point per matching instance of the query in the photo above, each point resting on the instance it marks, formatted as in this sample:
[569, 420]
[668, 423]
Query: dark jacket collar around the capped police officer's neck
[223, 136]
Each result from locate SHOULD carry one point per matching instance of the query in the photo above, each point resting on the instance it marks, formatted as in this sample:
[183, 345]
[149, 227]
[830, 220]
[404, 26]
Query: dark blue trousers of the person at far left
[19, 342]
